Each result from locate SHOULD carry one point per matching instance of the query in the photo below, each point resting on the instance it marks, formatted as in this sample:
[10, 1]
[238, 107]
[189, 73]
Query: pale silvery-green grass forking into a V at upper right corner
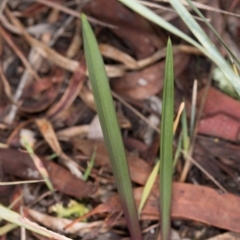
[207, 47]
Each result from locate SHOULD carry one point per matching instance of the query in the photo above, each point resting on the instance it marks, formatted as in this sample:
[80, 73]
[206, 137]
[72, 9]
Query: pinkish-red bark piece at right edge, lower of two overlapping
[220, 125]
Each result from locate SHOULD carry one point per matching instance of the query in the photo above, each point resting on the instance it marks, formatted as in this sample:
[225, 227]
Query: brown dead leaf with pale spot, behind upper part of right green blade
[147, 82]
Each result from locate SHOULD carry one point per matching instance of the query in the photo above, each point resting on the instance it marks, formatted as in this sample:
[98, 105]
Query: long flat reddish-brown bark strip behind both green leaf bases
[190, 202]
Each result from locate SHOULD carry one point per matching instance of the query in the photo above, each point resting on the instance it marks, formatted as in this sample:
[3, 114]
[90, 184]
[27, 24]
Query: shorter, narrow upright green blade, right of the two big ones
[166, 149]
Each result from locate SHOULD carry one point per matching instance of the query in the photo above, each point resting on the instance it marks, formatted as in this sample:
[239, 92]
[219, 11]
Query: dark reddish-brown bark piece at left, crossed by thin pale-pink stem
[19, 164]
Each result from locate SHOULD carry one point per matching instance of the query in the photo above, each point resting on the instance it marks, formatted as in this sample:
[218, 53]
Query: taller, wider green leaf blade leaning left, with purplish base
[110, 128]
